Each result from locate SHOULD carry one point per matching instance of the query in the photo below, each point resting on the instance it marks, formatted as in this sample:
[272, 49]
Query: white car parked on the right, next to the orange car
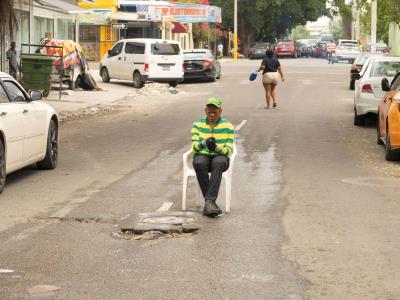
[368, 91]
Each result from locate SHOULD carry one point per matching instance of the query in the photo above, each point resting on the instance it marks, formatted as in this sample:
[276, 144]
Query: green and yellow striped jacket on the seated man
[223, 132]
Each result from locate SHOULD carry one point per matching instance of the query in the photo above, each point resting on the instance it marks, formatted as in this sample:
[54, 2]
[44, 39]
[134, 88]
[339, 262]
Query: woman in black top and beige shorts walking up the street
[271, 72]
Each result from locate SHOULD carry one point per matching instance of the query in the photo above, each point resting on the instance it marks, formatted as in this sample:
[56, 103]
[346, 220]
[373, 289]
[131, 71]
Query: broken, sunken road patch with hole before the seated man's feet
[148, 226]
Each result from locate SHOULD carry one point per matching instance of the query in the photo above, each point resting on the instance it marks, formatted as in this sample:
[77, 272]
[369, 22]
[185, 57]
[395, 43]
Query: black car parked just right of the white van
[200, 64]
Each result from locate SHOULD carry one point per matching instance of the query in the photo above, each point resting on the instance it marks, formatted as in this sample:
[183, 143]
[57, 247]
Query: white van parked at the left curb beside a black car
[143, 60]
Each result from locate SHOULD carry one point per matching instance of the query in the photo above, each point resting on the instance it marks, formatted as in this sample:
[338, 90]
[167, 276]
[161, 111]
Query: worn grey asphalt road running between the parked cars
[314, 210]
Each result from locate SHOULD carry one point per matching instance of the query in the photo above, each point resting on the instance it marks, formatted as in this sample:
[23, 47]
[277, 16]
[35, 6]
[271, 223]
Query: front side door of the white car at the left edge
[33, 120]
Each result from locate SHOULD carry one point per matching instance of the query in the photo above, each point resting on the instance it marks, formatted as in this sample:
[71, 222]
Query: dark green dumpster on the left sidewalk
[36, 70]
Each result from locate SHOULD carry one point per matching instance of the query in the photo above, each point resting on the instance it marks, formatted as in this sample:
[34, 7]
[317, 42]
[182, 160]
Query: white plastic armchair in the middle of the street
[188, 171]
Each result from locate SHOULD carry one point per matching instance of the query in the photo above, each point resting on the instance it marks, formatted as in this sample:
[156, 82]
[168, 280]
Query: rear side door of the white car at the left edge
[11, 119]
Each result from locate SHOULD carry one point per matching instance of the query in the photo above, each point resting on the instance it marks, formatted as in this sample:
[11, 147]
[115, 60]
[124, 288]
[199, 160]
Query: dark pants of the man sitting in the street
[216, 165]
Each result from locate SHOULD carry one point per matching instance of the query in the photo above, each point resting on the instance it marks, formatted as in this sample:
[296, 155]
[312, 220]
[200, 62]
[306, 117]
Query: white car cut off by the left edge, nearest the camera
[28, 129]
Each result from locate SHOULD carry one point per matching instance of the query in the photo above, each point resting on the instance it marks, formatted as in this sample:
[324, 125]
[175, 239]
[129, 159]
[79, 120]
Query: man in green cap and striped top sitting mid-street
[212, 142]
